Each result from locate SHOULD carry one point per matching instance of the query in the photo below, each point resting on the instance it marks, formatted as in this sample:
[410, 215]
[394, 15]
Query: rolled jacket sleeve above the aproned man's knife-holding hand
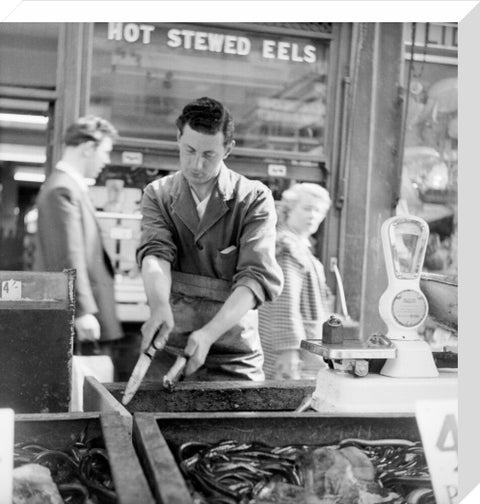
[156, 237]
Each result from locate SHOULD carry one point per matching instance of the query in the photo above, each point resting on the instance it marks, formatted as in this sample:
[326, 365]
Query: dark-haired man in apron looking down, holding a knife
[207, 254]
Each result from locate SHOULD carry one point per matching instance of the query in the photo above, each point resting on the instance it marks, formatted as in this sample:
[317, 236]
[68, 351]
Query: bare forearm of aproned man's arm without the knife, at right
[240, 301]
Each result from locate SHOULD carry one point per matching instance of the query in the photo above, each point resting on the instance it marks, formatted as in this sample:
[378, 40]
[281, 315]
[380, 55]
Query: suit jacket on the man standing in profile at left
[68, 236]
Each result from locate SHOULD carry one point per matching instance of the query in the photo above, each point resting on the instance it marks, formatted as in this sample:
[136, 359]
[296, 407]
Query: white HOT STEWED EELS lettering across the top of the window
[213, 42]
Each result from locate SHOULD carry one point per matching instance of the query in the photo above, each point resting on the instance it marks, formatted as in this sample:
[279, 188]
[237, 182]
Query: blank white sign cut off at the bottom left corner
[7, 423]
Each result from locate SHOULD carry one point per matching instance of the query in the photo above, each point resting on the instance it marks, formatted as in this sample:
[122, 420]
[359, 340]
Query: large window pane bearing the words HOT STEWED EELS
[274, 85]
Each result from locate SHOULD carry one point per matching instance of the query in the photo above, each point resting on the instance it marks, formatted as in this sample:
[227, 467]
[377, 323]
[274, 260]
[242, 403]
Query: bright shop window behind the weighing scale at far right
[430, 160]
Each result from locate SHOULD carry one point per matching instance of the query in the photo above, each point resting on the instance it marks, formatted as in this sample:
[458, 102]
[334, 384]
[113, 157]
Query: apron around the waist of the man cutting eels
[236, 355]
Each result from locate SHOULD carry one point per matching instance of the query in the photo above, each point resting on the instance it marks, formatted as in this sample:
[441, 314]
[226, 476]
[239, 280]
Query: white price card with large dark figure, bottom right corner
[438, 424]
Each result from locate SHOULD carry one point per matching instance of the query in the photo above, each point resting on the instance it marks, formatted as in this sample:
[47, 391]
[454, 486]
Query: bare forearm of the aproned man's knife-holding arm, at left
[157, 279]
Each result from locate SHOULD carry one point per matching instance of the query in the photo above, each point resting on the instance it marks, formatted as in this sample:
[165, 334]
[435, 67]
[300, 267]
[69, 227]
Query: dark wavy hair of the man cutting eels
[209, 116]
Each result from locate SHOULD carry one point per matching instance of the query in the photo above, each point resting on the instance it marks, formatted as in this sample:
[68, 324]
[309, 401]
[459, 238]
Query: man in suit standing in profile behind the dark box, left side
[69, 237]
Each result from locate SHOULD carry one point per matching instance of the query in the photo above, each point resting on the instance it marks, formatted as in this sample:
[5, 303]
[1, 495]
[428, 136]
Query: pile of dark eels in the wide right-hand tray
[353, 471]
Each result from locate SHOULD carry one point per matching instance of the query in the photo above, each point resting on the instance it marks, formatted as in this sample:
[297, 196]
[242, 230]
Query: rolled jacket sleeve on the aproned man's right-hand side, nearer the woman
[257, 267]
